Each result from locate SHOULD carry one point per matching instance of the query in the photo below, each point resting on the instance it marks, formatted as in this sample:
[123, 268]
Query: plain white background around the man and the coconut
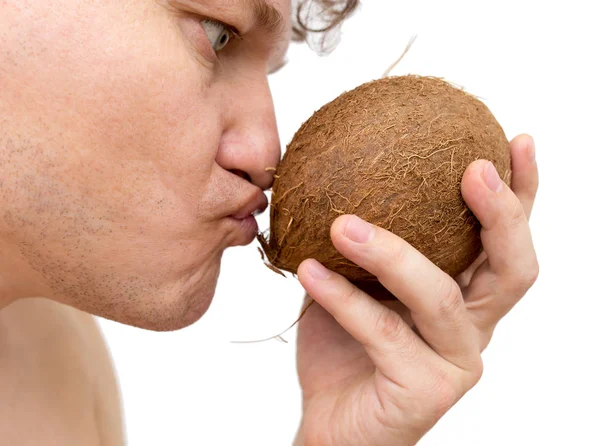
[535, 64]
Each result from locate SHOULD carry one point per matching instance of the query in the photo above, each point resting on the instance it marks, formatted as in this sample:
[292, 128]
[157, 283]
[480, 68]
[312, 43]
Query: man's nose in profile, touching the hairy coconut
[250, 144]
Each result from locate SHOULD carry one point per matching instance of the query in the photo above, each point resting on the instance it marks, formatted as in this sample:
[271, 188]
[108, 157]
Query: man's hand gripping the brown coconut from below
[368, 377]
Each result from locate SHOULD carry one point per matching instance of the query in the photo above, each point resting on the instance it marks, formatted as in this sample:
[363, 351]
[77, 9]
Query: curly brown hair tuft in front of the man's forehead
[320, 19]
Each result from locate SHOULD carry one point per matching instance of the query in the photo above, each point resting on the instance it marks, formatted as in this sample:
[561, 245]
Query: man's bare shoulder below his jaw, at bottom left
[57, 380]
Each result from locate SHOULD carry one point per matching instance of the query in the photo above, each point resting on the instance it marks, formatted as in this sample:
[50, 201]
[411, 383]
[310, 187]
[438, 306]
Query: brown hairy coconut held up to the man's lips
[393, 152]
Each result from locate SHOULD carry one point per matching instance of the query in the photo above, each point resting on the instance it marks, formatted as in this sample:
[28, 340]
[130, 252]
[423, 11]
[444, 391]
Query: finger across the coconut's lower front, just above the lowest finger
[433, 298]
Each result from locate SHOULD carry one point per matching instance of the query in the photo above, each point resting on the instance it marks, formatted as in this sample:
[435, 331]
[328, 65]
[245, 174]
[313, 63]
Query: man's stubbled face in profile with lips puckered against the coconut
[131, 133]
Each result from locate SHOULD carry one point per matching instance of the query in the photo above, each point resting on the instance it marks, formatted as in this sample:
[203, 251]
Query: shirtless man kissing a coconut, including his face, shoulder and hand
[135, 138]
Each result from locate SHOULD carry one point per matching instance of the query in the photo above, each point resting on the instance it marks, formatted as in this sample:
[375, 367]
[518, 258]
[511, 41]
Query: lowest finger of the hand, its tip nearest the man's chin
[389, 341]
